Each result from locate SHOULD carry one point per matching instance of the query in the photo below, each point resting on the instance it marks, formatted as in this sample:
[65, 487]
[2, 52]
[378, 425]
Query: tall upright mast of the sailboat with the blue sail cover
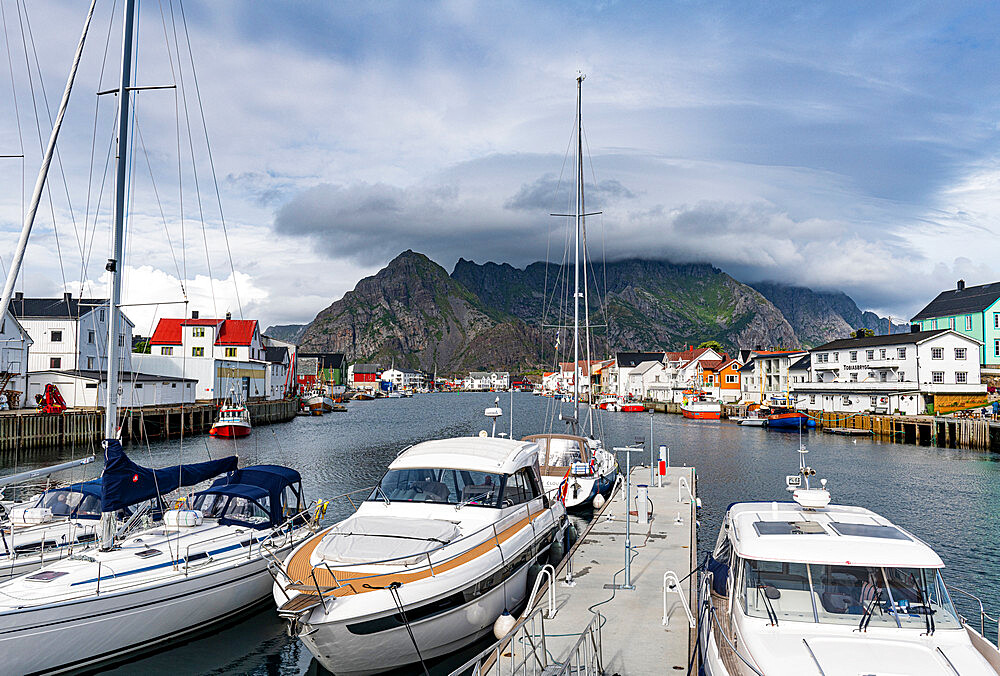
[116, 264]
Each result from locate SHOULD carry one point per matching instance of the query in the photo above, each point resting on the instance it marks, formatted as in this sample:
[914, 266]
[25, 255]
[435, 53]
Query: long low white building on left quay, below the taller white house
[87, 389]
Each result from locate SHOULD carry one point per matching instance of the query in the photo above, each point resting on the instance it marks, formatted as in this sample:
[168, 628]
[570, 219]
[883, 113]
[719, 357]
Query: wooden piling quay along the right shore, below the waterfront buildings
[924, 430]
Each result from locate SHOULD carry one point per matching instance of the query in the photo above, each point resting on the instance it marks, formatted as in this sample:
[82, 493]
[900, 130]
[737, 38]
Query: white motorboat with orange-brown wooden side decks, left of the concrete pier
[440, 549]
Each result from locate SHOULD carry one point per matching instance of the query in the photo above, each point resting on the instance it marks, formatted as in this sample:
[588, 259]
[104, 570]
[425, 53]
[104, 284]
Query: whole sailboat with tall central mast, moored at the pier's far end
[577, 464]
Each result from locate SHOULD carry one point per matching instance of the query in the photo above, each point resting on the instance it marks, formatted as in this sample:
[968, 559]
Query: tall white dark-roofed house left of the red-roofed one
[70, 333]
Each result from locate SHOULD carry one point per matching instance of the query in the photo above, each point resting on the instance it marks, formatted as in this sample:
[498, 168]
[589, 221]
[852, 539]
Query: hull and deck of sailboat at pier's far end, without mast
[578, 468]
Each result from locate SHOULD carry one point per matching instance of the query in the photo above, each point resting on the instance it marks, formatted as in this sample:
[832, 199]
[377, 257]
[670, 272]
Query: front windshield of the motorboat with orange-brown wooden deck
[451, 486]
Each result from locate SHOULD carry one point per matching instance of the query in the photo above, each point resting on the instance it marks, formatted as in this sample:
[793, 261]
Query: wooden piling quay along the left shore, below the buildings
[27, 429]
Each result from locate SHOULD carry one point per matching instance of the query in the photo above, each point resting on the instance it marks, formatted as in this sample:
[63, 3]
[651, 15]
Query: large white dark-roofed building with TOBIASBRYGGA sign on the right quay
[906, 372]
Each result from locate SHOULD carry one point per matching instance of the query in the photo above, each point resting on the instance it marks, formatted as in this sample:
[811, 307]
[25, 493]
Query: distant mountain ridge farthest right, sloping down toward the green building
[819, 317]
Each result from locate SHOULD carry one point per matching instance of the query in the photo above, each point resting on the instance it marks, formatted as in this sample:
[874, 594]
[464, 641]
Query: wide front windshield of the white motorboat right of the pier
[886, 597]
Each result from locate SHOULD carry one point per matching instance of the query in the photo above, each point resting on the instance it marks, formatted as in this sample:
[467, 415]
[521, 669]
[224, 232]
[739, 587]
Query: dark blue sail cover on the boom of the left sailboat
[126, 483]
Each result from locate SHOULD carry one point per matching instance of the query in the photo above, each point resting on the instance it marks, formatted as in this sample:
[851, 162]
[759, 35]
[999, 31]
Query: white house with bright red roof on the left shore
[225, 355]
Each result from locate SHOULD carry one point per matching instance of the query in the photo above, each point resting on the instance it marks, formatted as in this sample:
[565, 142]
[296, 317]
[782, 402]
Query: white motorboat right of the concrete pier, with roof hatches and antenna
[813, 588]
